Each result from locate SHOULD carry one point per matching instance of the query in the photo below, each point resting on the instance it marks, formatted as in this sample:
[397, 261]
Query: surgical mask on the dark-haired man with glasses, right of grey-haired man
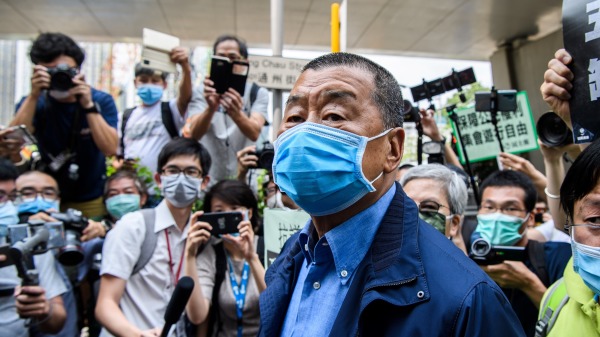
[500, 229]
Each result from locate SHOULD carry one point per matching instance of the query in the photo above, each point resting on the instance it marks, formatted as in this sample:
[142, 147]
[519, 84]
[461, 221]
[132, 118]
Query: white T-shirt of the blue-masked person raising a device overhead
[146, 134]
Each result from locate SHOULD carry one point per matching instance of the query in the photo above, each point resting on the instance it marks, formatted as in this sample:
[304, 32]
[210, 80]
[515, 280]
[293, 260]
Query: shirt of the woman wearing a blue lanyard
[227, 304]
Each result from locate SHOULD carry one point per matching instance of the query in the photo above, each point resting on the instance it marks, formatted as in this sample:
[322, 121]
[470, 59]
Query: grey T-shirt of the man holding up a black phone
[224, 139]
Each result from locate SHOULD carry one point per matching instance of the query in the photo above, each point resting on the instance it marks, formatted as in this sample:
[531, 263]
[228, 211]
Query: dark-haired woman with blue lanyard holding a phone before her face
[234, 273]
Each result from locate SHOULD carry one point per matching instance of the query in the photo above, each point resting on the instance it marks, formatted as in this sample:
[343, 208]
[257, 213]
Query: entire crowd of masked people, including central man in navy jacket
[386, 252]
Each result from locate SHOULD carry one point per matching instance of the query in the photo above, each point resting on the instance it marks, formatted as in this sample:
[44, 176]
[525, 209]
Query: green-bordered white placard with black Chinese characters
[516, 128]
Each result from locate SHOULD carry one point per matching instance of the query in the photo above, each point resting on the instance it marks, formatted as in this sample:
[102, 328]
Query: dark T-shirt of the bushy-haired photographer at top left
[57, 130]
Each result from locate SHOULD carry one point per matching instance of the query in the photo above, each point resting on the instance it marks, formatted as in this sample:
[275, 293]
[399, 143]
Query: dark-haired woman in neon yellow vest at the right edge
[570, 306]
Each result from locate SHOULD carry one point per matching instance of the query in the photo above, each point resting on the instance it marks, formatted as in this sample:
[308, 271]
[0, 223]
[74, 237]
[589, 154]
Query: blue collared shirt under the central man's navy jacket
[328, 270]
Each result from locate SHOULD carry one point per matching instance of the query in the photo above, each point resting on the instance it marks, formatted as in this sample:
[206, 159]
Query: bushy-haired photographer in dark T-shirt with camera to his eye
[74, 123]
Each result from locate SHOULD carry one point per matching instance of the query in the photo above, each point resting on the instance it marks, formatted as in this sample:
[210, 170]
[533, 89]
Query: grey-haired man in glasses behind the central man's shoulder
[441, 196]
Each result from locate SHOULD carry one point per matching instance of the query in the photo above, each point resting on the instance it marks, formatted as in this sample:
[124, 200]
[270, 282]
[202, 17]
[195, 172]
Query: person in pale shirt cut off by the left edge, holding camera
[42, 304]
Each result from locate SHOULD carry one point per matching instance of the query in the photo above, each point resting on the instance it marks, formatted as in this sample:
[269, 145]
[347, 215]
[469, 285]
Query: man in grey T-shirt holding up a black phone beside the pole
[227, 123]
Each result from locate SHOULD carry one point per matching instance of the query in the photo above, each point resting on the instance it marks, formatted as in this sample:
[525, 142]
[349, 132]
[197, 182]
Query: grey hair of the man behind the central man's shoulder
[456, 189]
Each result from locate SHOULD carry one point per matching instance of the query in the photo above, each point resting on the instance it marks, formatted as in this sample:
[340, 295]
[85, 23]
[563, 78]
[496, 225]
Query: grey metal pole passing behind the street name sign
[277, 46]
